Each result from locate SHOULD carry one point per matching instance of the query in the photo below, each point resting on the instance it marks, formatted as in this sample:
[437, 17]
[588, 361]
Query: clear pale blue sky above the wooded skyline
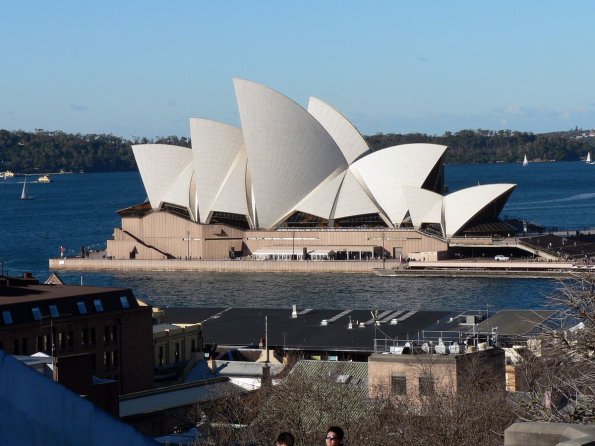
[142, 68]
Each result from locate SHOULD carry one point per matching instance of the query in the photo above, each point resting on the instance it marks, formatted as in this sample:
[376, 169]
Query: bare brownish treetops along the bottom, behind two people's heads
[306, 406]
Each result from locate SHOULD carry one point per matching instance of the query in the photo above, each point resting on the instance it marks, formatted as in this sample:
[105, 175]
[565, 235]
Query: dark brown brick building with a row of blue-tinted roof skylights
[109, 324]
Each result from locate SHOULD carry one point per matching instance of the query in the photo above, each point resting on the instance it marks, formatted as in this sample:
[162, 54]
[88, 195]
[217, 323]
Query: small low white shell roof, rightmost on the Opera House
[462, 205]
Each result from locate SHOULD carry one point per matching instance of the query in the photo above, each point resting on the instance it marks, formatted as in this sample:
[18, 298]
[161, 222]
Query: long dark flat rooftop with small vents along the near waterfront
[348, 330]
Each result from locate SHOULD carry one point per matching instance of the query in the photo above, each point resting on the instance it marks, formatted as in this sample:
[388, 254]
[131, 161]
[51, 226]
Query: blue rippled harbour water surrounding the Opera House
[80, 209]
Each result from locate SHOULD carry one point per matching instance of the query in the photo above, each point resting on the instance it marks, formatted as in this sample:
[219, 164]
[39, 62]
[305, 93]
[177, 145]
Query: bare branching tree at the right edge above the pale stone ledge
[559, 380]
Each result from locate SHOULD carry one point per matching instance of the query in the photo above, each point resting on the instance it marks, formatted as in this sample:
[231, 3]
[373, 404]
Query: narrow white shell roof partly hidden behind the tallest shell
[347, 137]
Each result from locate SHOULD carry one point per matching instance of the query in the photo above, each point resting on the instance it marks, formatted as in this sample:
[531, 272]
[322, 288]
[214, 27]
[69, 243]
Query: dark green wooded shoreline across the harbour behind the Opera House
[52, 151]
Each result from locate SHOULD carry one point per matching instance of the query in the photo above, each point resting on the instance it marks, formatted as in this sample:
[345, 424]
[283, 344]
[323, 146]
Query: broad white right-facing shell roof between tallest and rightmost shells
[385, 171]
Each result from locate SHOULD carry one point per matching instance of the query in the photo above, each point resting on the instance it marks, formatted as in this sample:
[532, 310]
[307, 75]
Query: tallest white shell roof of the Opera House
[289, 152]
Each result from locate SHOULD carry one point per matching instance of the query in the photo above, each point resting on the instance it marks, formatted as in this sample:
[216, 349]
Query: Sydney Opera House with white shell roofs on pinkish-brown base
[296, 183]
